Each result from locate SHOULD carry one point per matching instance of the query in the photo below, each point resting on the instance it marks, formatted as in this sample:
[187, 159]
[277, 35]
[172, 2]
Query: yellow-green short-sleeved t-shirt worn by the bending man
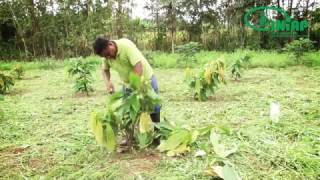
[128, 55]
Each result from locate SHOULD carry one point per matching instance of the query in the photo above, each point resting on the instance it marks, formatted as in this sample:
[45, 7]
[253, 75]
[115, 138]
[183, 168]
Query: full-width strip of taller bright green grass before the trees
[271, 59]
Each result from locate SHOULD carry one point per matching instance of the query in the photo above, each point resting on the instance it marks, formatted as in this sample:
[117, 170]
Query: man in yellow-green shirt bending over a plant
[123, 56]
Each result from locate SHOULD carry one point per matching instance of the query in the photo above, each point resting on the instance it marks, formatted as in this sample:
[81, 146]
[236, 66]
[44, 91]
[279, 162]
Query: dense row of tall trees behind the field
[54, 28]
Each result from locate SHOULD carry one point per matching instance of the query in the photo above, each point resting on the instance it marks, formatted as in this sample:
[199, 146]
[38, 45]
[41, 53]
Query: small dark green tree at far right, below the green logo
[298, 48]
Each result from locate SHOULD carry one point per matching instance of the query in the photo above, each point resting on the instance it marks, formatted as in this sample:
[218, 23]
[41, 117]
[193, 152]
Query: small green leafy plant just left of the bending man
[83, 72]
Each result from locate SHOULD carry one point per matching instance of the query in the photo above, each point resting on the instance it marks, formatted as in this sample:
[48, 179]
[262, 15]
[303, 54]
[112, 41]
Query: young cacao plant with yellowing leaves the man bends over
[128, 112]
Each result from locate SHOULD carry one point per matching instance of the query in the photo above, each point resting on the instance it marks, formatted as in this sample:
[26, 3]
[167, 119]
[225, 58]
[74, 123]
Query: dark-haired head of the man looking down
[105, 48]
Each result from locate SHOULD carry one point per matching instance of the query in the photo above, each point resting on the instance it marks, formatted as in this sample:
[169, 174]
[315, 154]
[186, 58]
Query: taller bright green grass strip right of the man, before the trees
[271, 59]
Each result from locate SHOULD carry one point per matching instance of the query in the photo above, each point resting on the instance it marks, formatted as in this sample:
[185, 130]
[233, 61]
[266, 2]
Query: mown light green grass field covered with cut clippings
[45, 134]
